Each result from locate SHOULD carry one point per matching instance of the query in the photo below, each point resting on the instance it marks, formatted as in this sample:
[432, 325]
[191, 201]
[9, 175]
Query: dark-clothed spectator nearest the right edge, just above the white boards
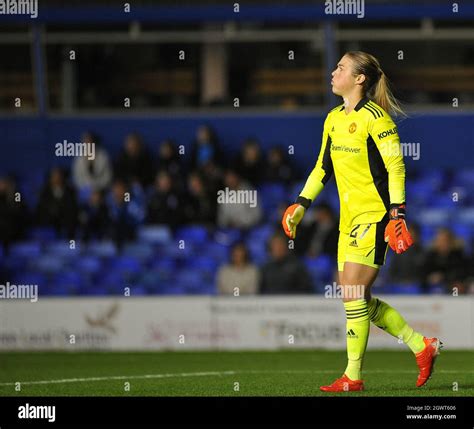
[446, 264]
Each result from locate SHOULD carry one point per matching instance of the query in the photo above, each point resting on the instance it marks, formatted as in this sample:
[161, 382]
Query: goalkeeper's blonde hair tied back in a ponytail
[376, 85]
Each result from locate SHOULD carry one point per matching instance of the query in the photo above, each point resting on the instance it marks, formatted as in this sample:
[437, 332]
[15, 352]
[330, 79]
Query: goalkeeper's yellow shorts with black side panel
[365, 245]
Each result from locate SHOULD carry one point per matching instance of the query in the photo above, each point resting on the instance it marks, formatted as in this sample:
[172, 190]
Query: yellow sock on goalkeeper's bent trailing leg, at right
[391, 321]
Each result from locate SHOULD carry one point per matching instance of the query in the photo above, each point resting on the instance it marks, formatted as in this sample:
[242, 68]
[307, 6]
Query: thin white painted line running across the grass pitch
[211, 373]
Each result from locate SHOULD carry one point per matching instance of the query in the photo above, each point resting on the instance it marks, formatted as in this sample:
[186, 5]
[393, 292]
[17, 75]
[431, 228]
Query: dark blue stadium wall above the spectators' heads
[31, 141]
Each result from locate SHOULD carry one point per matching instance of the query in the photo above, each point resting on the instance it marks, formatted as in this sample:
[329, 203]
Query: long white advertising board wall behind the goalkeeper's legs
[222, 323]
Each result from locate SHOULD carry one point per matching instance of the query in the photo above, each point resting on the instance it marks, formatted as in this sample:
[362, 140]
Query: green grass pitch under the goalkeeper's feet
[245, 373]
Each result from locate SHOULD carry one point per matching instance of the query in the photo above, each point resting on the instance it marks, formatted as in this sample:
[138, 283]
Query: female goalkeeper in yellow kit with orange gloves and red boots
[362, 148]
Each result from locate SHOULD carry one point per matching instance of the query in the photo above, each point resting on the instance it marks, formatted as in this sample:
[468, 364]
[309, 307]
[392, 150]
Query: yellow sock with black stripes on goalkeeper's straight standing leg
[357, 334]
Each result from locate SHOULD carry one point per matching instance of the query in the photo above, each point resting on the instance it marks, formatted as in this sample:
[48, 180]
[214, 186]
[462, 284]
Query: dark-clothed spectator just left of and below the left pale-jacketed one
[57, 204]
